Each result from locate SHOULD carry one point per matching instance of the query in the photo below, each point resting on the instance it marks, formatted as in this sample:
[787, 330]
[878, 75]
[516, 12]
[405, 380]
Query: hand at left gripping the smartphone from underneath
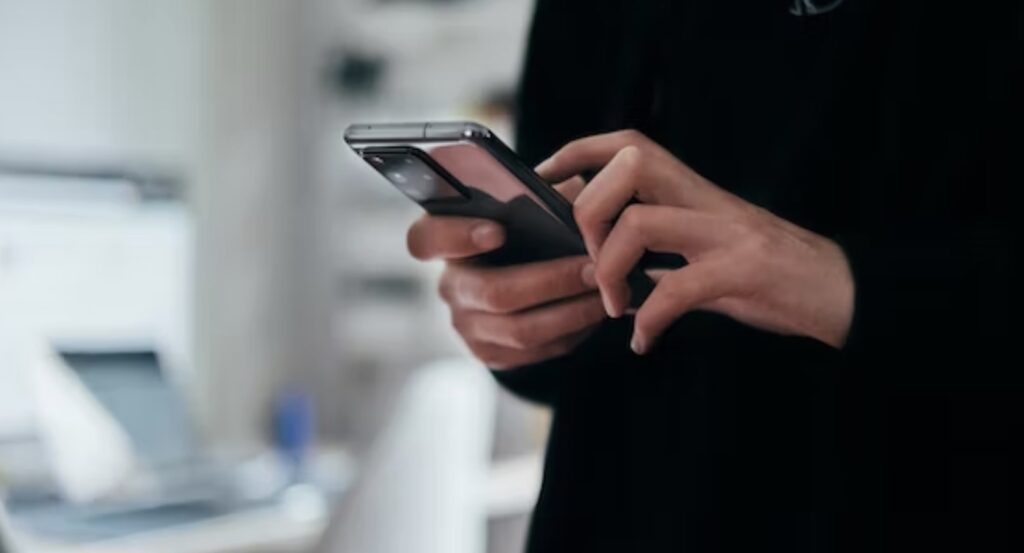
[516, 316]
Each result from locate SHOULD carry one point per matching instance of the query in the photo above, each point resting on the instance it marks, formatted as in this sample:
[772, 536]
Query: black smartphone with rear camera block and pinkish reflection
[464, 169]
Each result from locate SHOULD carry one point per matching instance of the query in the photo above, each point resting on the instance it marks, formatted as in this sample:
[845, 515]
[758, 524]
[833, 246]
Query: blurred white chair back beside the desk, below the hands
[424, 485]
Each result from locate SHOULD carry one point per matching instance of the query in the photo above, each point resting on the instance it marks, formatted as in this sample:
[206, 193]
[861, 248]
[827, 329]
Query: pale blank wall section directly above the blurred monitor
[110, 79]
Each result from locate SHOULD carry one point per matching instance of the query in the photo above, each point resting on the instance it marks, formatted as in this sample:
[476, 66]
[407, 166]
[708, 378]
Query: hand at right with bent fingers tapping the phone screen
[744, 262]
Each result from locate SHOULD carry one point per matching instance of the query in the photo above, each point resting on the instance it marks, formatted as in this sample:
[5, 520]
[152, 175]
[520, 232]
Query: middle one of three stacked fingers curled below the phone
[534, 328]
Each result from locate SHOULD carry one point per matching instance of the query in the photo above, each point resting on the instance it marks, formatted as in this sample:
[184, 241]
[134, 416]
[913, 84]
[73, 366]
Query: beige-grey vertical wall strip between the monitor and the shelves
[245, 207]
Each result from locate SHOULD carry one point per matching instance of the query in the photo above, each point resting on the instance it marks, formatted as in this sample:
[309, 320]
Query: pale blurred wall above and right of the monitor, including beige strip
[205, 90]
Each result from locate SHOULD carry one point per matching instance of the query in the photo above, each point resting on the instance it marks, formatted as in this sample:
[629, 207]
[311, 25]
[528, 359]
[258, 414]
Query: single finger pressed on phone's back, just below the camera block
[435, 237]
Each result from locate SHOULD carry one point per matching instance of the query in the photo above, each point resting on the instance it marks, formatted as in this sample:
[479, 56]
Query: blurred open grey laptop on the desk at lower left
[135, 390]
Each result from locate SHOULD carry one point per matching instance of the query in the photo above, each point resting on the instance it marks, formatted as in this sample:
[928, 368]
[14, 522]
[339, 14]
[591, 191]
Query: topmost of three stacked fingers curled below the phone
[509, 289]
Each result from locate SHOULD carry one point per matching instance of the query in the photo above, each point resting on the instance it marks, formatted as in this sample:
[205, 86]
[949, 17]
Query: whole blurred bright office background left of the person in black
[211, 336]
